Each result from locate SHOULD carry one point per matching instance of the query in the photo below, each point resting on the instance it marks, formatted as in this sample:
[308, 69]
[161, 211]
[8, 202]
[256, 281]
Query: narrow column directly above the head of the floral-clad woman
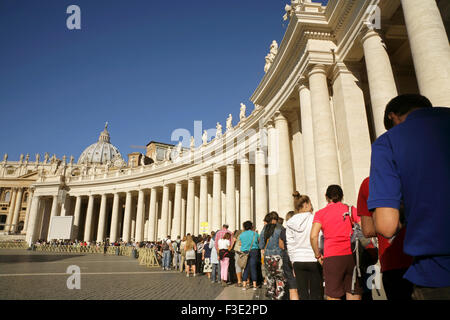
[273, 165]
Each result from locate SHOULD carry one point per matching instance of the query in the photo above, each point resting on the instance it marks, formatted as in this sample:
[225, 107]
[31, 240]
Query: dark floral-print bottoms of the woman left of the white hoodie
[276, 280]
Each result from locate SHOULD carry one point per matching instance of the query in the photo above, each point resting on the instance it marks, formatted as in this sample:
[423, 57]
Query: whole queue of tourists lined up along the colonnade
[400, 222]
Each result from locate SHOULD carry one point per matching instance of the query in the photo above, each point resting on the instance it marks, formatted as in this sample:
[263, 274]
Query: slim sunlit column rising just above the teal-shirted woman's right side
[261, 201]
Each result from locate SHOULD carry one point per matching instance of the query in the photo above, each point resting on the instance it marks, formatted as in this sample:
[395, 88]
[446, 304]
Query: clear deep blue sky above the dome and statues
[147, 67]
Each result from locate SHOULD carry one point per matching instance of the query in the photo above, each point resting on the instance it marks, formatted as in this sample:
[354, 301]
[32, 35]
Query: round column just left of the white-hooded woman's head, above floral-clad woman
[285, 182]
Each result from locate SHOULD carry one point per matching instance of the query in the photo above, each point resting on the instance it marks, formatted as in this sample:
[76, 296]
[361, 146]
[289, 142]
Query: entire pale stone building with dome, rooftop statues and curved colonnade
[316, 112]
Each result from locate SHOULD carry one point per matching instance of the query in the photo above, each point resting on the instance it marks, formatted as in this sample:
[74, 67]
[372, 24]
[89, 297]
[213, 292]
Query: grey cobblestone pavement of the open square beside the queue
[37, 275]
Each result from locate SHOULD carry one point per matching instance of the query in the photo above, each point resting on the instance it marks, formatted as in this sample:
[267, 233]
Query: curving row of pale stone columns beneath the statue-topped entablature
[332, 143]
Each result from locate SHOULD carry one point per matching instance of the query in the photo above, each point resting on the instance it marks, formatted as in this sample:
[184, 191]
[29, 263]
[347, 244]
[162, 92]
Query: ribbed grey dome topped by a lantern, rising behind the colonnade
[102, 152]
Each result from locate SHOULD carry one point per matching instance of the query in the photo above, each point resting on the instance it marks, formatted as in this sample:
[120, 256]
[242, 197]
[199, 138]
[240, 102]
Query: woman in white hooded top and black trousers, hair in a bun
[308, 273]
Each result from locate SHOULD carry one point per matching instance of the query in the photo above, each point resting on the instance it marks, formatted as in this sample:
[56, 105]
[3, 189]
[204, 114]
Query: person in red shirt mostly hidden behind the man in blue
[394, 262]
